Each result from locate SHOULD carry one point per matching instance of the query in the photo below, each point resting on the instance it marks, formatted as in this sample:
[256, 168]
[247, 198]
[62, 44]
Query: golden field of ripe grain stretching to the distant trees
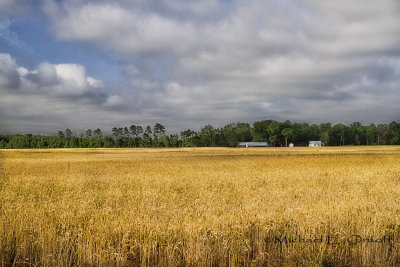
[330, 206]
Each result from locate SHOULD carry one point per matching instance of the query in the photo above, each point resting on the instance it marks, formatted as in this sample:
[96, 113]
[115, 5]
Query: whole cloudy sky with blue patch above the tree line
[82, 64]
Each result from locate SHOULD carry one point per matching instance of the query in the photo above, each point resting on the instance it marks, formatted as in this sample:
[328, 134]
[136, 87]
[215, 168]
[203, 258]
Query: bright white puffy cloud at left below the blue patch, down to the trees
[51, 96]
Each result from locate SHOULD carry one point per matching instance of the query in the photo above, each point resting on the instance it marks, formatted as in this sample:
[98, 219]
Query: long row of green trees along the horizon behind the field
[274, 132]
